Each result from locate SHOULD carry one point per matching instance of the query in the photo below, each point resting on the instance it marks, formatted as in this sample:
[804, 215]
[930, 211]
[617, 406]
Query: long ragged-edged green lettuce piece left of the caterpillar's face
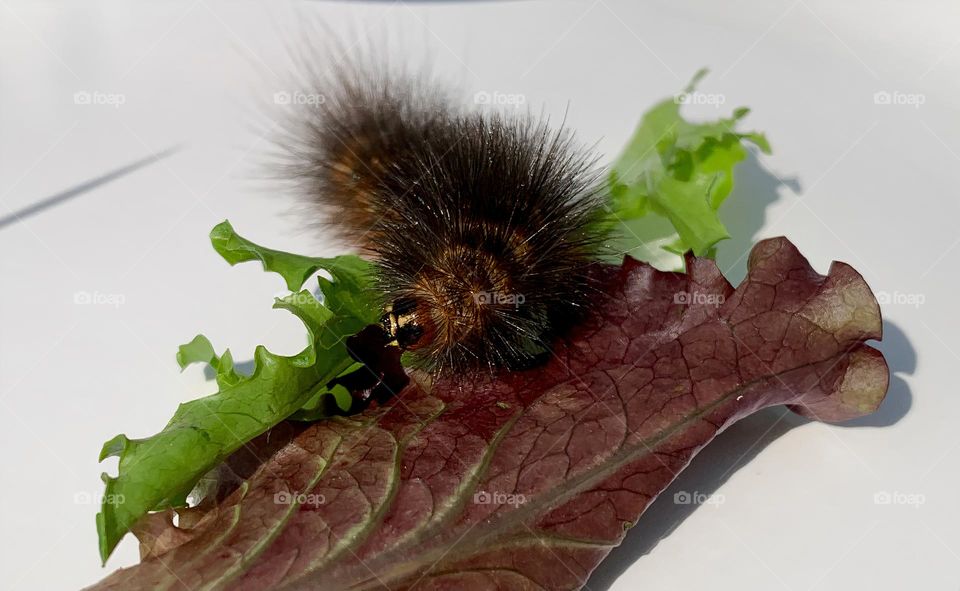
[161, 470]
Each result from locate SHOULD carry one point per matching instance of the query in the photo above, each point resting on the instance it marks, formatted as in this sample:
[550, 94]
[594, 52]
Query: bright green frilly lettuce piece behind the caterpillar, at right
[680, 172]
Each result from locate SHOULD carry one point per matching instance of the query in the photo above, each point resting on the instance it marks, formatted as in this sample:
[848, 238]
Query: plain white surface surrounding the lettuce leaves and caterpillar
[874, 185]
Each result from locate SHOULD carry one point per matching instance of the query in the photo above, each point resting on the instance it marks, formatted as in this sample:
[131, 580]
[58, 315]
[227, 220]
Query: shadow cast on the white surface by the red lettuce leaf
[735, 448]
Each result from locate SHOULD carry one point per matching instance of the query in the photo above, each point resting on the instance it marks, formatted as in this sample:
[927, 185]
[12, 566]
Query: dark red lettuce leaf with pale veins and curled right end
[528, 480]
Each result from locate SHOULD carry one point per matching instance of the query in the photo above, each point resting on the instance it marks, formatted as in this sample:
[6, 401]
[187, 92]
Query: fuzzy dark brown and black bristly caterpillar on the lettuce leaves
[484, 226]
